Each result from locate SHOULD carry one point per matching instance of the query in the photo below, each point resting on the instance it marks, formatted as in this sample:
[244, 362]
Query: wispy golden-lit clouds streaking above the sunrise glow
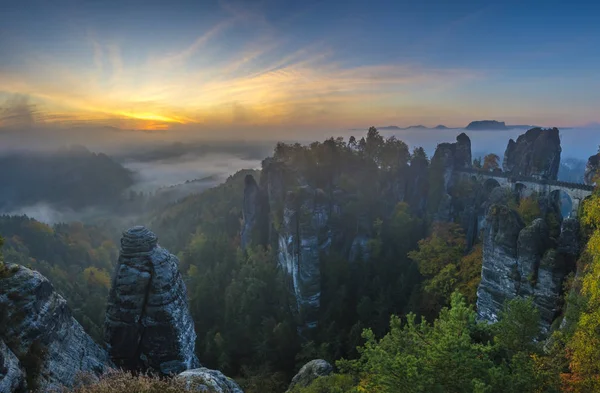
[271, 80]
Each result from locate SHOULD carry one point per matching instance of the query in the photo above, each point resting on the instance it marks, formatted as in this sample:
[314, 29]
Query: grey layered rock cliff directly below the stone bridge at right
[521, 260]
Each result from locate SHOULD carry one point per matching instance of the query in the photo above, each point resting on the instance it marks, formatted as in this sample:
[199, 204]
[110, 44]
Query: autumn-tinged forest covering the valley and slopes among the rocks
[399, 318]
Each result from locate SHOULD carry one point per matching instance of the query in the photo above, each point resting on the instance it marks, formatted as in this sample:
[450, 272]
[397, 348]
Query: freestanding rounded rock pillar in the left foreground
[148, 325]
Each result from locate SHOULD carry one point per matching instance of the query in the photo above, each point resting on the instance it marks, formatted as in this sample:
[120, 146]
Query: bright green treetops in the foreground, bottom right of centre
[453, 354]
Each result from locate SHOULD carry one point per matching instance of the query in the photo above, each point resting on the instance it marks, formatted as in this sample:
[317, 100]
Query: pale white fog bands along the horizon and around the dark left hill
[179, 164]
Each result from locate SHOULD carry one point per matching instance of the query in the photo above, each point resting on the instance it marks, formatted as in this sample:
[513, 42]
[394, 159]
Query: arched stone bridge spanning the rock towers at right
[528, 185]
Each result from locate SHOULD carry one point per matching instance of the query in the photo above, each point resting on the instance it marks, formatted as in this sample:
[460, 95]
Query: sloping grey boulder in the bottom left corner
[37, 323]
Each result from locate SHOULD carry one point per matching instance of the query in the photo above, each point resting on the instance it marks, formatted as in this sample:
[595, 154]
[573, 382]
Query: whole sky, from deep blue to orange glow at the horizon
[271, 67]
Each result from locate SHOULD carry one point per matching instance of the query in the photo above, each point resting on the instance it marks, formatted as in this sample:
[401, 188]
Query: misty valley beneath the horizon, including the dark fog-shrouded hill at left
[62, 181]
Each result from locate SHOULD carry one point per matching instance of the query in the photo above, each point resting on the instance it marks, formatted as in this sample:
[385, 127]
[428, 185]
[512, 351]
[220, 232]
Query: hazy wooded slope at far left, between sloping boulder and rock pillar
[77, 259]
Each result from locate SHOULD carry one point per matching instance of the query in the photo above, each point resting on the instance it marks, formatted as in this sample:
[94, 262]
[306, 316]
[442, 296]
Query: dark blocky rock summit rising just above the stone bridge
[535, 154]
